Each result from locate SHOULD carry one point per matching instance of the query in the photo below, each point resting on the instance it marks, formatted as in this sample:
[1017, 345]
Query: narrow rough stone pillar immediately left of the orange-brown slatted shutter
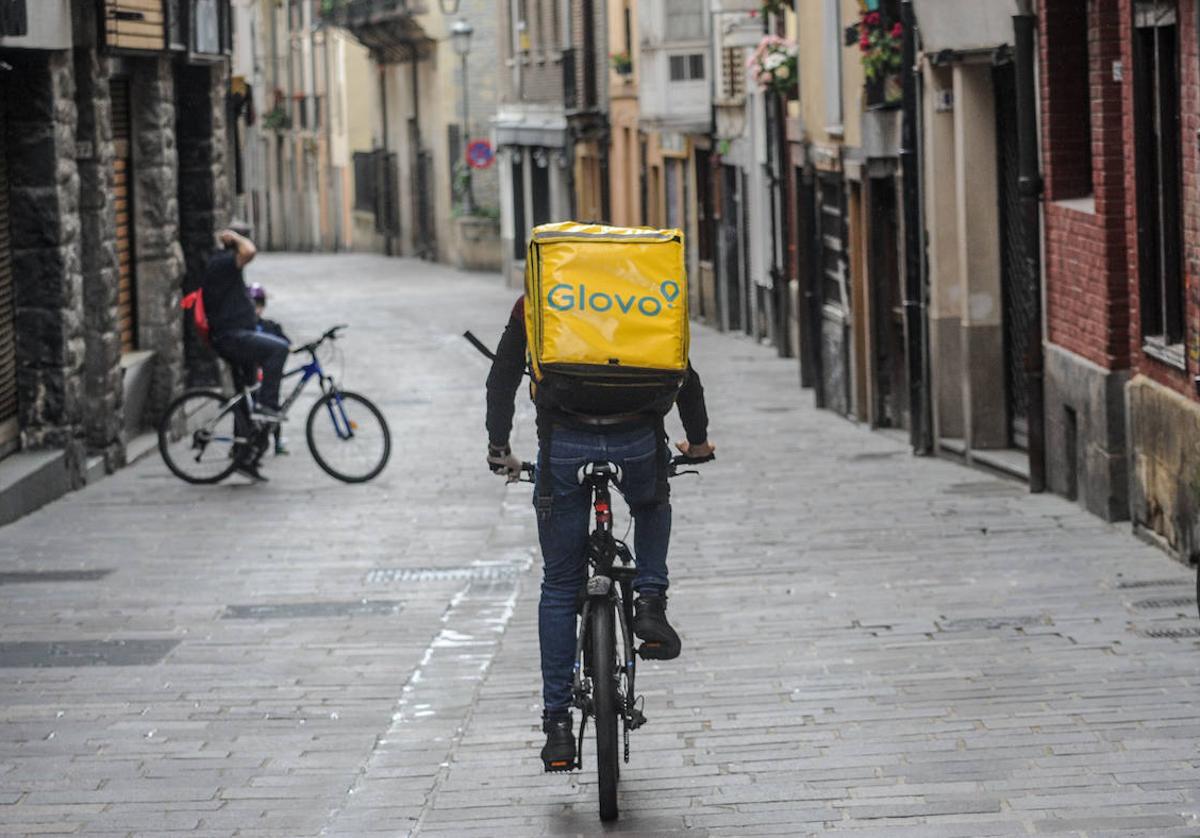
[104, 420]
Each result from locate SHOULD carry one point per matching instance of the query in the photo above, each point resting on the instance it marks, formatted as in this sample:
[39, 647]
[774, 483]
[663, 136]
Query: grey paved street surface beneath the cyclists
[874, 644]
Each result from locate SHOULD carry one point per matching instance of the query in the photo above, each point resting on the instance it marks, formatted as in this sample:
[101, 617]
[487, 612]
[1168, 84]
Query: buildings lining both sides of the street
[974, 222]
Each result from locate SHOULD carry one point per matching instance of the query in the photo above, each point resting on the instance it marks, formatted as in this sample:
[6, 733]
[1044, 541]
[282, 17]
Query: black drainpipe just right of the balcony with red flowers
[914, 297]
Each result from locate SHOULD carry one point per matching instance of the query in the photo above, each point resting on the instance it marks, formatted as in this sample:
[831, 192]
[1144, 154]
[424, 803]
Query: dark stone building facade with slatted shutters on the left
[113, 189]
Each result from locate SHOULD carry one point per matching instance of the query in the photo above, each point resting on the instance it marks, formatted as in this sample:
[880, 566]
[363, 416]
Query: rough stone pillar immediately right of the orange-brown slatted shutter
[160, 259]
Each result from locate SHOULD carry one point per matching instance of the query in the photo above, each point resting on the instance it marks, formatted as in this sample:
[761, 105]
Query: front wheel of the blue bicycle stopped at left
[349, 436]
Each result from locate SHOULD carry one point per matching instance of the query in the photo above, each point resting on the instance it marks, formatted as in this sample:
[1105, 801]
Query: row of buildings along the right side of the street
[975, 222]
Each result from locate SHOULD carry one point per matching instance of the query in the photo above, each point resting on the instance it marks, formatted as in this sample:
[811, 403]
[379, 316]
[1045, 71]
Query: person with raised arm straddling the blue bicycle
[233, 328]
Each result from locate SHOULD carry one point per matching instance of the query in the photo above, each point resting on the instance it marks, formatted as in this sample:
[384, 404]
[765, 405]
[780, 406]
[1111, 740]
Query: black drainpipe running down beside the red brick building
[1030, 188]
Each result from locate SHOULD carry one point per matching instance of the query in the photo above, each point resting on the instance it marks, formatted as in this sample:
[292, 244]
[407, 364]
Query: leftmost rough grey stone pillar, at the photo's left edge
[45, 226]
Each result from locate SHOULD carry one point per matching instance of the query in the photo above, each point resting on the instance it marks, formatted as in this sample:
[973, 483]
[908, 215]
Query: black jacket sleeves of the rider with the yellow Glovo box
[509, 367]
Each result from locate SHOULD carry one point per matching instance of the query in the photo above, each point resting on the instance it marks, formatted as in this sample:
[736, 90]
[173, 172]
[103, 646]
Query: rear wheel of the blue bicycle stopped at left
[196, 438]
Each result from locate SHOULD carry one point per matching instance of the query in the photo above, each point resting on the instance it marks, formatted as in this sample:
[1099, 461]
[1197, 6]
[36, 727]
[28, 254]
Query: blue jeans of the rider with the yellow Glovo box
[565, 536]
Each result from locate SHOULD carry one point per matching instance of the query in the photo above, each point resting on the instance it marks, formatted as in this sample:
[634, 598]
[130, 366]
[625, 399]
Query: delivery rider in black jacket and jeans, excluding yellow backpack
[639, 450]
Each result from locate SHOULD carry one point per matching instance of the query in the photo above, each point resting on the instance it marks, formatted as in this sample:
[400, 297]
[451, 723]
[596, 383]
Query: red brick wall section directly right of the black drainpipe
[1087, 265]
